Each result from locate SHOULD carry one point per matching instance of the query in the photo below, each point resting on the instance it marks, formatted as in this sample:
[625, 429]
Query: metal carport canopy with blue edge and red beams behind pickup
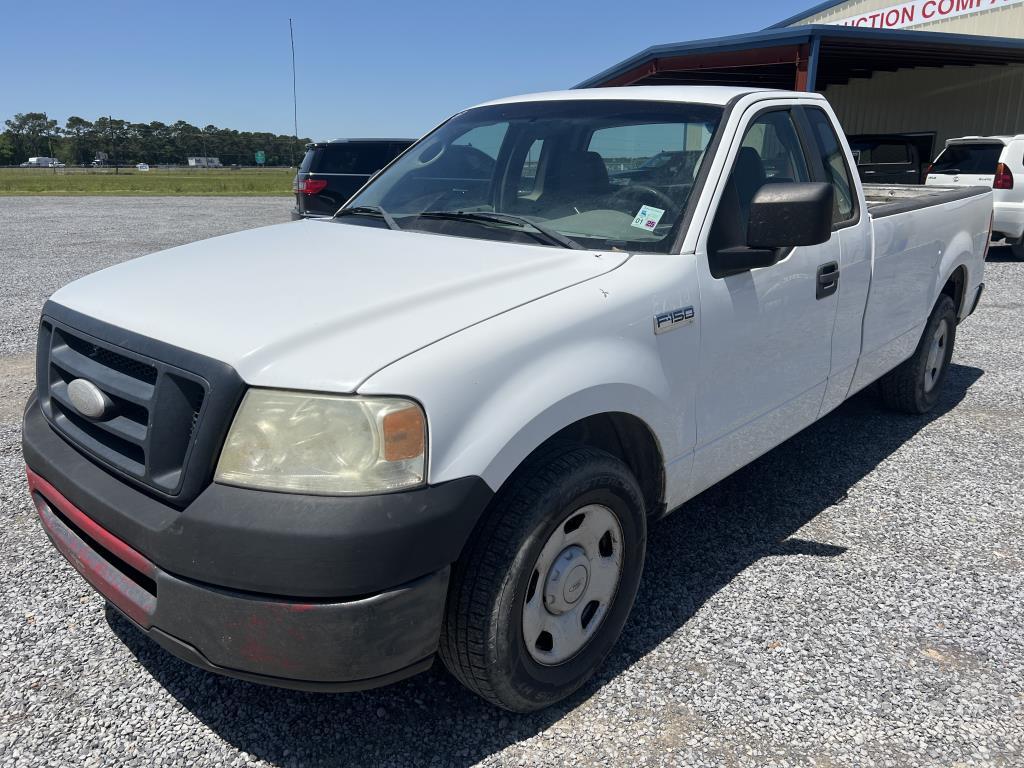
[808, 58]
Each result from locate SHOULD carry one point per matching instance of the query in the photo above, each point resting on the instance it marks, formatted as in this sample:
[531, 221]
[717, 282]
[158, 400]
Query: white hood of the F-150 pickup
[322, 306]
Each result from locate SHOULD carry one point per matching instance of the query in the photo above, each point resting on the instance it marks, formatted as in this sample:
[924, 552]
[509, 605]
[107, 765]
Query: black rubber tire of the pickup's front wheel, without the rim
[483, 643]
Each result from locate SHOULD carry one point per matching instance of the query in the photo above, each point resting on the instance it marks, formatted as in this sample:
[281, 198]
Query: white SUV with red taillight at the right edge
[989, 161]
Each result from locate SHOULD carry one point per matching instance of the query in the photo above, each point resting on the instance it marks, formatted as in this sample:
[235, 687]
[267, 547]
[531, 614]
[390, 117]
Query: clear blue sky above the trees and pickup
[368, 69]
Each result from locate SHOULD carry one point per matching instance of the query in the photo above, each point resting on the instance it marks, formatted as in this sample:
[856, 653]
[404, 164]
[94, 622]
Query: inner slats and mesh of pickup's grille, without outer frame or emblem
[153, 411]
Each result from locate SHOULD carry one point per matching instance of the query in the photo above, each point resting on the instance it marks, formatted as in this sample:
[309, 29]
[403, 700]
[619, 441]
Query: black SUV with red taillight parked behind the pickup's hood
[332, 172]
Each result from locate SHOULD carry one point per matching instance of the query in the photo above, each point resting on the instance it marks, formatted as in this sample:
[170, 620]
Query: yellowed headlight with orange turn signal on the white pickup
[322, 444]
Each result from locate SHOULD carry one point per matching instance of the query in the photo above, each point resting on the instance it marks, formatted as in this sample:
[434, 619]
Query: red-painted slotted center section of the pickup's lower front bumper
[86, 554]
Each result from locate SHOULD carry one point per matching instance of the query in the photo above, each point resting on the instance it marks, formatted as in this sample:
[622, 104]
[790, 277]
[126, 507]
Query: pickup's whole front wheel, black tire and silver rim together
[546, 583]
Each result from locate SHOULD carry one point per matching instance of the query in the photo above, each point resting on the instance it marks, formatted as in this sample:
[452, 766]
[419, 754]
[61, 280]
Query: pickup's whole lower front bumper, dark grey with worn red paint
[328, 646]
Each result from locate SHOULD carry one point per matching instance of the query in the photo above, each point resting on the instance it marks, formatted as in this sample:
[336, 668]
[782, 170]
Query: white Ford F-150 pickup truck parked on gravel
[317, 455]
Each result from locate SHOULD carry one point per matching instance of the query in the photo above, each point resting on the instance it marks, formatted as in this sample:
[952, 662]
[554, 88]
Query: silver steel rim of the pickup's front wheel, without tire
[573, 585]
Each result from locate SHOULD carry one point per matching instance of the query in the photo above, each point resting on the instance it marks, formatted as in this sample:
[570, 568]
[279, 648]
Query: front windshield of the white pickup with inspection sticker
[605, 175]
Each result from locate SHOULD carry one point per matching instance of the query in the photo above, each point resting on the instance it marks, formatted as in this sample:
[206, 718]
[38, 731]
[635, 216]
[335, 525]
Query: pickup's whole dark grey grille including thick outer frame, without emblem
[168, 410]
